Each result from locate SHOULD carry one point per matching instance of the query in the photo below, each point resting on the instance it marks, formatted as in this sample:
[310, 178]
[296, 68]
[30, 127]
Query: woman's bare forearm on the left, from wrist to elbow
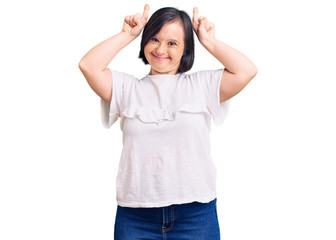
[100, 56]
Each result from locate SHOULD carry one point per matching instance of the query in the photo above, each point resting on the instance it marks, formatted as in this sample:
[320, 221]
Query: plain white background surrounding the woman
[275, 154]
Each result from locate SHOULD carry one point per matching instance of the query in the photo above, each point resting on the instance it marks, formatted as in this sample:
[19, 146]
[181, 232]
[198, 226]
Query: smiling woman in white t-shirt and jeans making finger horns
[166, 183]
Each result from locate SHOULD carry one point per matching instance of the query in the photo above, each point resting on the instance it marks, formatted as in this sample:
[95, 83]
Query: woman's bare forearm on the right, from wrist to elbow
[234, 61]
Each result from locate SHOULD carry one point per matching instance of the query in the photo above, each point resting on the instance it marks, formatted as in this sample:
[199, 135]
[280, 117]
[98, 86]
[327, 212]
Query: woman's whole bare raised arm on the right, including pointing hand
[239, 70]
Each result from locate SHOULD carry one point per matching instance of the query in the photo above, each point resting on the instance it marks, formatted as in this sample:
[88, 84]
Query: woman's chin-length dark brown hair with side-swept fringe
[154, 25]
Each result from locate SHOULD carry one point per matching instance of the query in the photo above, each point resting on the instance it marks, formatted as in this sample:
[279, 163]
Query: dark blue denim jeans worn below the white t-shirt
[190, 221]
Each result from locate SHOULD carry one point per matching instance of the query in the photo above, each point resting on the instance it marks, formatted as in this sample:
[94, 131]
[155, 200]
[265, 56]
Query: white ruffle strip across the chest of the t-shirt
[157, 115]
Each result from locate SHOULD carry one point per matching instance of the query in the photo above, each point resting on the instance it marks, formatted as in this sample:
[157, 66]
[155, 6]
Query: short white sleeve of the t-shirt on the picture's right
[210, 81]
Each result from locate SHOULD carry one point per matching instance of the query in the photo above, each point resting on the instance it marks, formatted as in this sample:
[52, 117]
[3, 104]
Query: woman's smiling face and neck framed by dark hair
[164, 51]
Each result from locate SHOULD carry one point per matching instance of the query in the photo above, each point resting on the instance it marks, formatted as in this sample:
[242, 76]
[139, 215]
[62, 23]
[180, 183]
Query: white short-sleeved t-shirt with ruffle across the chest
[165, 120]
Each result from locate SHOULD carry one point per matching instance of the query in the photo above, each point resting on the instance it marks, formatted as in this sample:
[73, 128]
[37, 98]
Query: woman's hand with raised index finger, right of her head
[204, 29]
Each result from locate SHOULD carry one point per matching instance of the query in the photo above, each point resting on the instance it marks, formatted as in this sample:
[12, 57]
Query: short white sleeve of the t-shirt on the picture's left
[110, 112]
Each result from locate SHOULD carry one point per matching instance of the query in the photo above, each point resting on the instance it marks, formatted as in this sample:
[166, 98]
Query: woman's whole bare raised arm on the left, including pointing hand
[94, 64]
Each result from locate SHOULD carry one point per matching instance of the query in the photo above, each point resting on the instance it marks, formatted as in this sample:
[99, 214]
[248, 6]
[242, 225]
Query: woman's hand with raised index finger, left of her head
[133, 24]
